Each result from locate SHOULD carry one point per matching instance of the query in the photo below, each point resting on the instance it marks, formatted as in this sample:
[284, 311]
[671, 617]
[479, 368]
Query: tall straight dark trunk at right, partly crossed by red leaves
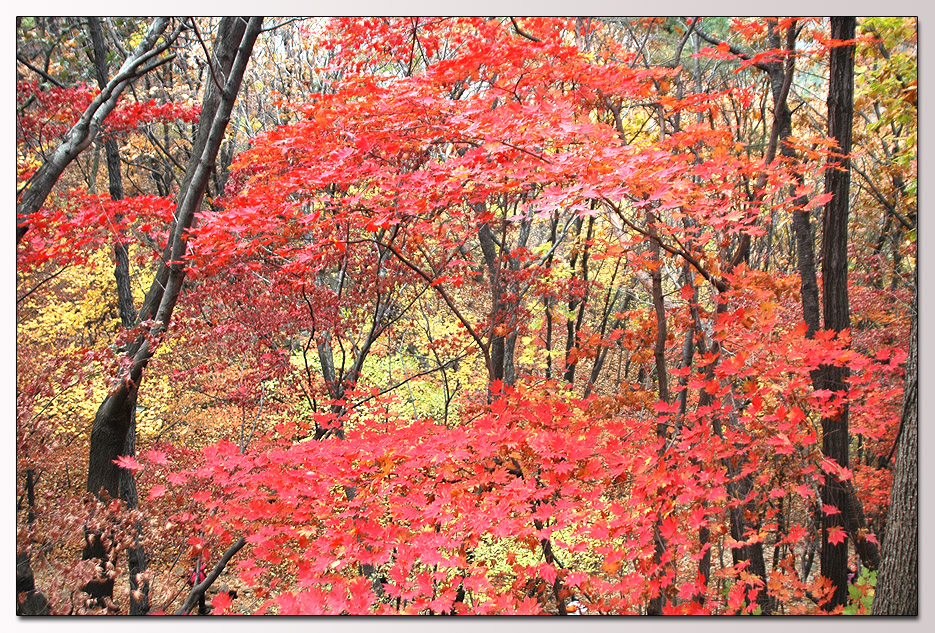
[834, 288]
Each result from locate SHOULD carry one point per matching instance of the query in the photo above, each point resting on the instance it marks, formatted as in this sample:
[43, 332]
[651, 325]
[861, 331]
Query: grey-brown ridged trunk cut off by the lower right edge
[897, 589]
